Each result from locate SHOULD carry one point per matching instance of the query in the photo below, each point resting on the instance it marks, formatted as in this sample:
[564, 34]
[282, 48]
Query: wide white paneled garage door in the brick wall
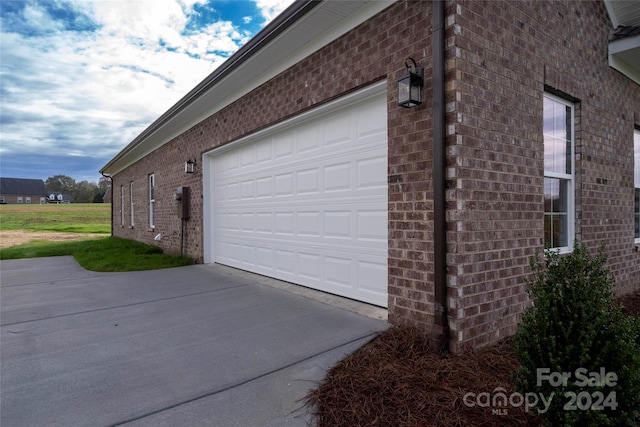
[306, 202]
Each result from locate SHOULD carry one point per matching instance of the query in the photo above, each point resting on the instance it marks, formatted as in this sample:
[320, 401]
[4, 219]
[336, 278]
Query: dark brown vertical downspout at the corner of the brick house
[440, 330]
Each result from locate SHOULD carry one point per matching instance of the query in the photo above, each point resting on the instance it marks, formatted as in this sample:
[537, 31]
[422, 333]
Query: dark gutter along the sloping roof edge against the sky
[276, 27]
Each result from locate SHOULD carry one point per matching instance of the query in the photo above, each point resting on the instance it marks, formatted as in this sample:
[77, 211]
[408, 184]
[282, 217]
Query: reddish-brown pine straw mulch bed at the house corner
[397, 381]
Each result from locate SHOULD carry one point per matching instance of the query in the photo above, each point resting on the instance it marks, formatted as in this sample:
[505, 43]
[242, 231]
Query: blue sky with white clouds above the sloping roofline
[79, 79]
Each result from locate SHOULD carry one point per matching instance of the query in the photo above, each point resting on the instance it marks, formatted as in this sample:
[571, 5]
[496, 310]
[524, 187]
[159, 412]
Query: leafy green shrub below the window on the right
[575, 323]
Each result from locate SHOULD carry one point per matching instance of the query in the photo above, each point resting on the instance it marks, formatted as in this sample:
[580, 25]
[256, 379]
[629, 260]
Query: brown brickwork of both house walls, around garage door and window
[500, 56]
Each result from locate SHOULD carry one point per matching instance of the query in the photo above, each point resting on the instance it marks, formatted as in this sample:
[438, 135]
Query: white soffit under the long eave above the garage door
[317, 28]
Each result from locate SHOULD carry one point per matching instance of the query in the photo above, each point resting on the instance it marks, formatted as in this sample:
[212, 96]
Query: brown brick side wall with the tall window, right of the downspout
[501, 57]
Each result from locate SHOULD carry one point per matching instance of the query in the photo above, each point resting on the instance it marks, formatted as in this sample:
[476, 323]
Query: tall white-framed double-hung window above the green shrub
[558, 173]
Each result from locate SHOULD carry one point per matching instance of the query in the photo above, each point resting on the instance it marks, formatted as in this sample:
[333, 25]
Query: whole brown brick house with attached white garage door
[305, 168]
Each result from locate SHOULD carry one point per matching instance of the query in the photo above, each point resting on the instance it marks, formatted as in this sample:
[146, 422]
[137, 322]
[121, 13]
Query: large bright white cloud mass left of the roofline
[120, 73]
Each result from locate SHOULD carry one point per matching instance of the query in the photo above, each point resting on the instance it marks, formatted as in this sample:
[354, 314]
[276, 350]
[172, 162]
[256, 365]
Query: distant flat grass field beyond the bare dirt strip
[74, 218]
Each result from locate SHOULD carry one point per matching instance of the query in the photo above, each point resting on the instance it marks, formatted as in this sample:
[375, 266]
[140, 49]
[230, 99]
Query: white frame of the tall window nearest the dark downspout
[569, 178]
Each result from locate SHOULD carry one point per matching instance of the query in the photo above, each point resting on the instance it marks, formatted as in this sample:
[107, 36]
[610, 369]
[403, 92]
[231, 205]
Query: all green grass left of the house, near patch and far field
[101, 254]
